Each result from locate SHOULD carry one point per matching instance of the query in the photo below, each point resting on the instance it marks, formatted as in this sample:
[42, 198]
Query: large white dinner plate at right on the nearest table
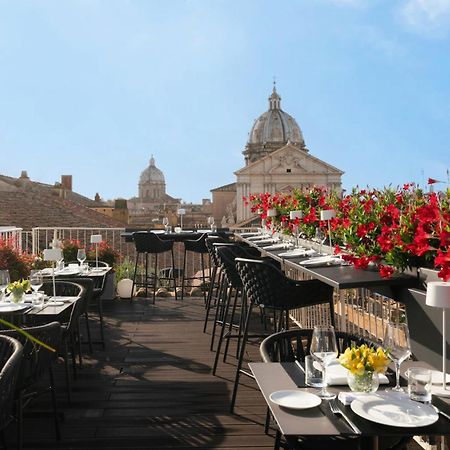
[395, 411]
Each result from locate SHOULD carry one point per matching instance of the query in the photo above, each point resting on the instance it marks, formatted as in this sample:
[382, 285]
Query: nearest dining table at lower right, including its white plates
[373, 415]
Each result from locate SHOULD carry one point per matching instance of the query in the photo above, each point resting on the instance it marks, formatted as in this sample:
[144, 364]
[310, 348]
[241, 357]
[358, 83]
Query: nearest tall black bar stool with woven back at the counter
[269, 288]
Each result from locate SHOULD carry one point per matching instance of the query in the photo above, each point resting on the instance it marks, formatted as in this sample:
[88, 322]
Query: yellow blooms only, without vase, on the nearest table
[362, 359]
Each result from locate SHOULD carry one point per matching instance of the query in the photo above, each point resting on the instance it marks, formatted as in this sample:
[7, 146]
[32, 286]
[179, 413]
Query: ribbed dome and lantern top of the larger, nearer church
[275, 126]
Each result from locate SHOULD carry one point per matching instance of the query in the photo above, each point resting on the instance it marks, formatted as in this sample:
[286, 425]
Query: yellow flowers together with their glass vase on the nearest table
[364, 363]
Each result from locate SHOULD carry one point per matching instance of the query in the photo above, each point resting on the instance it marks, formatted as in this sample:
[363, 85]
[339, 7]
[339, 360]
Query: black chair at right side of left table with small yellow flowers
[70, 329]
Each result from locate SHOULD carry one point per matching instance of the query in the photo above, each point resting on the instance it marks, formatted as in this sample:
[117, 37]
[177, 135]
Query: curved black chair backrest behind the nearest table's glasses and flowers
[291, 345]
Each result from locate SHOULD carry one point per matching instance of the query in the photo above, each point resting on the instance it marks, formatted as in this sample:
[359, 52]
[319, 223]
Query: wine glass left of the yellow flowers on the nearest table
[325, 350]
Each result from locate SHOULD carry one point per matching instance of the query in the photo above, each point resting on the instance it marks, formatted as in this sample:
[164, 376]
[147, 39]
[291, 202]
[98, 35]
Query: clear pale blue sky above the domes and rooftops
[94, 88]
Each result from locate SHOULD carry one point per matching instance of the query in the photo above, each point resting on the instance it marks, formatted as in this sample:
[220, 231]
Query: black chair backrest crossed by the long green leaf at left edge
[36, 359]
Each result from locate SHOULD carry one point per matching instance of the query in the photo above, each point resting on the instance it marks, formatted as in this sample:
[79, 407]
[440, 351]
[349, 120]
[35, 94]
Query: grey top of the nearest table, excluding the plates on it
[319, 421]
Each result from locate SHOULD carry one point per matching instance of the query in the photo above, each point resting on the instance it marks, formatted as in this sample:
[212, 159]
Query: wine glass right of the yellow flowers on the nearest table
[396, 342]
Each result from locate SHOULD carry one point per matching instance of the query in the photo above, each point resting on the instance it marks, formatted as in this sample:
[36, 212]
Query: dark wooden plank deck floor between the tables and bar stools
[151, 388]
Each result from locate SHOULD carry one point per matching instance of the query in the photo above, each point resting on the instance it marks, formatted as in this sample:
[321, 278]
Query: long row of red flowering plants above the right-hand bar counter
[391, 228]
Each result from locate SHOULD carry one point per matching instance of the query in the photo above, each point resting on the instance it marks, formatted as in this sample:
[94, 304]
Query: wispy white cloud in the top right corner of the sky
[427, 17]
